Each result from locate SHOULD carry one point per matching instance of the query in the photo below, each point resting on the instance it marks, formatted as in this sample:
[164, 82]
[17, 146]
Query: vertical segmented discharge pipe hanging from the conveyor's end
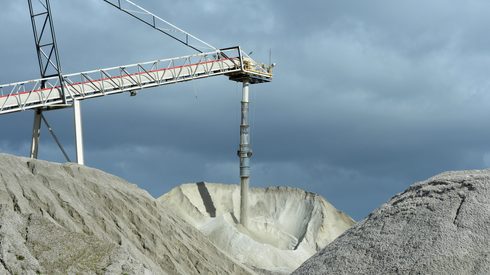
[244, 153]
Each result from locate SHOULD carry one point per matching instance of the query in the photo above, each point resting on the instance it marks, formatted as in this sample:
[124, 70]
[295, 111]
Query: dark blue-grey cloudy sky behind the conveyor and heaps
[367, 98]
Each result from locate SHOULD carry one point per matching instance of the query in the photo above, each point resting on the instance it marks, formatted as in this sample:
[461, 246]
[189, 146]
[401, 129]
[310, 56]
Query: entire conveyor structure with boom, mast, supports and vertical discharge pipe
[56, 90]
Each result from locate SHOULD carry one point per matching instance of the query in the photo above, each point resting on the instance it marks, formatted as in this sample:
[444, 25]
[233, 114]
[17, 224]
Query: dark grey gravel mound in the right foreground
[439, 226]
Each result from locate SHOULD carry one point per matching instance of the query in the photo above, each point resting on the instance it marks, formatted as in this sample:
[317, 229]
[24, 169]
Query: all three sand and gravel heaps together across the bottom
[71, 219]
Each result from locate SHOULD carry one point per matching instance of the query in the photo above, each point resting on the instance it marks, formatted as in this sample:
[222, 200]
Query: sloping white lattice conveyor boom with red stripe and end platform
[47, 92]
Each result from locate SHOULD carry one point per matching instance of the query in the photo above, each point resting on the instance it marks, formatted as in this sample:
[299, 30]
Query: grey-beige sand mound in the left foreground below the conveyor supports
[69, 219]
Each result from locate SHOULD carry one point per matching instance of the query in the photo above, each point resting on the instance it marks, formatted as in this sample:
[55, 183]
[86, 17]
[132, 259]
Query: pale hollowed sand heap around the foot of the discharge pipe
[286, 227]
